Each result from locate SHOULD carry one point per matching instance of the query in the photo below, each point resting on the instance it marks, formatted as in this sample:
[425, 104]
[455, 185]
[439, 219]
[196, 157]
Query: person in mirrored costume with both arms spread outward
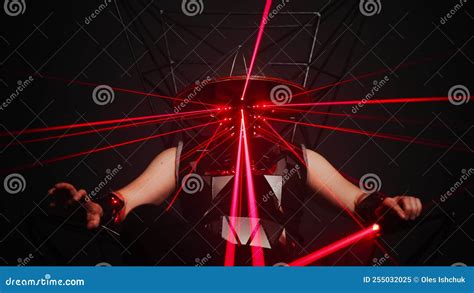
[195, 198]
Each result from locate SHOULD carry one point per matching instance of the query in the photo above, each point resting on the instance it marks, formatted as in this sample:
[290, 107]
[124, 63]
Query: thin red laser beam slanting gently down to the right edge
[399, 138]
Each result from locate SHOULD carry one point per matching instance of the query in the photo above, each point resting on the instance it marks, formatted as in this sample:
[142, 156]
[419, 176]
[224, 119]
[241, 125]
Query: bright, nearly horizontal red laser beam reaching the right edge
[367, 102]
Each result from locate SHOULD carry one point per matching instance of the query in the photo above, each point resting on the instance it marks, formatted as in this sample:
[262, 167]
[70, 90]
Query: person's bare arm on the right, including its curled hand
[327, 181]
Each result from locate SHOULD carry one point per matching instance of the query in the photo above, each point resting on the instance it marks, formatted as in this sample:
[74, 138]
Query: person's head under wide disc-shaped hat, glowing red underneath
[223, 100]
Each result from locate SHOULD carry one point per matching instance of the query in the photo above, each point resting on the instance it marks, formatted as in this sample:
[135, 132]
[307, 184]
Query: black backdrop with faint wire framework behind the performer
[152, 46]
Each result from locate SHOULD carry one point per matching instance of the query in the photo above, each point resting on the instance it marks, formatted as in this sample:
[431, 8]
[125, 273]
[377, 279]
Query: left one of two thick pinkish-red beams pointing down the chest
[229, 259]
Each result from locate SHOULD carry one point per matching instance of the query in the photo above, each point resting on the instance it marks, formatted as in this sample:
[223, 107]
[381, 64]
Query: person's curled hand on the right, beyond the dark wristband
[406, 207]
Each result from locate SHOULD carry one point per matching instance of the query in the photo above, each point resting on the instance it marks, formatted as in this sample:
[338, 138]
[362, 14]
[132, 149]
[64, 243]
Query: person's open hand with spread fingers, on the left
[66, 194]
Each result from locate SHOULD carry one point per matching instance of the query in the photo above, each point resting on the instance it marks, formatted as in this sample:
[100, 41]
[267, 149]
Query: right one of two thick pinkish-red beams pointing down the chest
[257, 251]
